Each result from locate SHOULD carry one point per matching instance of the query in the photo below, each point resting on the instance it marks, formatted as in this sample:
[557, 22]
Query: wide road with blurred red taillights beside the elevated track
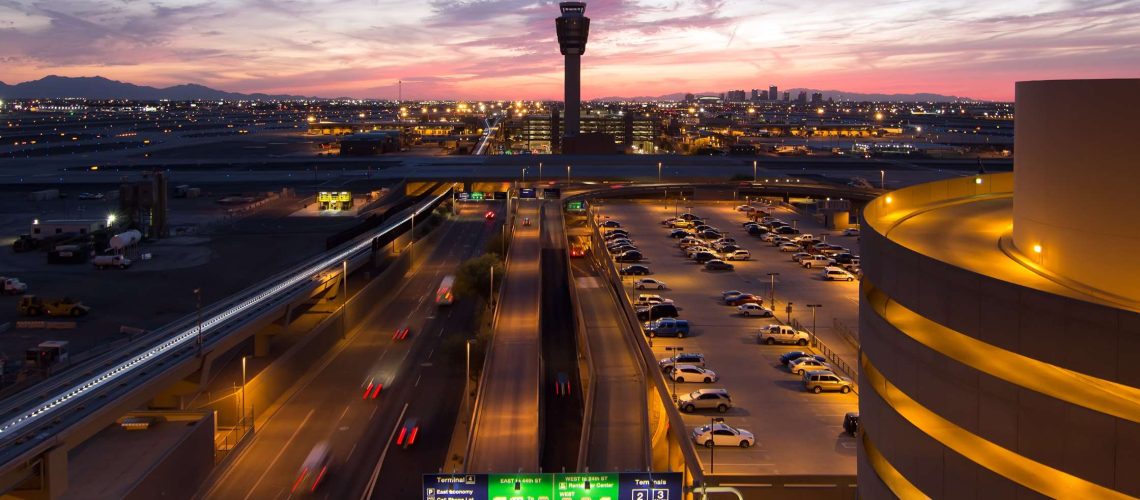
[419, 380]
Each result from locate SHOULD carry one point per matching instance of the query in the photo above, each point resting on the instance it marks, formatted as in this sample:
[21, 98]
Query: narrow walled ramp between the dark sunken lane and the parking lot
[618, 433]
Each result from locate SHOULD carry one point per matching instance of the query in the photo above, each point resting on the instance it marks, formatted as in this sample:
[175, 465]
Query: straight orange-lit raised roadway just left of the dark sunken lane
[507, 424]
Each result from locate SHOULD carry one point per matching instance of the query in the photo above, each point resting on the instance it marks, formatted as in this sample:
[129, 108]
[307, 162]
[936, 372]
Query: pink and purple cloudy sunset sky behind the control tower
[476, 50]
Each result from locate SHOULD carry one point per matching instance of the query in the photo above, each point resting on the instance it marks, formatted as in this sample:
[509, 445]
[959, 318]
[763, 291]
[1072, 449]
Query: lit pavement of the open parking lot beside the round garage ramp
[796, 432]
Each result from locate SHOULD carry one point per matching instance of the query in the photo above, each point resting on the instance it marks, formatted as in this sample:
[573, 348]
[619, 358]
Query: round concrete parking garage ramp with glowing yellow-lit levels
[999, 350]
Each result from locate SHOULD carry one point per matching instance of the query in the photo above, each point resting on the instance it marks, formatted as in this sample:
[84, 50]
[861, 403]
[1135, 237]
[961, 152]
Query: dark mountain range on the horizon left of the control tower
[100, 88]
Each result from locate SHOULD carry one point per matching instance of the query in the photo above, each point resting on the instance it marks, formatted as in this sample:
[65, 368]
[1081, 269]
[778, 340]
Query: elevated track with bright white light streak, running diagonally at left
[40, 425]
